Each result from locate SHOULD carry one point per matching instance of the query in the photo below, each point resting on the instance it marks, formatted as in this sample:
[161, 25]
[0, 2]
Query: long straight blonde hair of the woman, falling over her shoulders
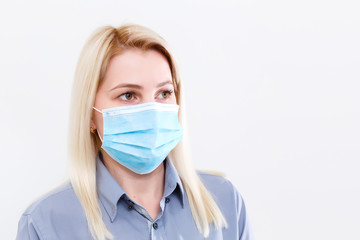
[105, 43]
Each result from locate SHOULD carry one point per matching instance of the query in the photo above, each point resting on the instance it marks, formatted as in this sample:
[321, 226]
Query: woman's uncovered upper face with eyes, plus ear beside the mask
[133, 77]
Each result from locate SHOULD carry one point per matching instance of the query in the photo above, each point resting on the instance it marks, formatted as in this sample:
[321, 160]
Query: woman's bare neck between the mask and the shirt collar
[139, 187]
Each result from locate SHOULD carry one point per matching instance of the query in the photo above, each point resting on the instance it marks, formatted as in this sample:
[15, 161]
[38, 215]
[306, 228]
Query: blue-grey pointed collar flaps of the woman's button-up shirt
[110, 191]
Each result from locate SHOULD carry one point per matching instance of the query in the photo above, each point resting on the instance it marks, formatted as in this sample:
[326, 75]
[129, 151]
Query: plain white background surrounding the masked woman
[272, 98]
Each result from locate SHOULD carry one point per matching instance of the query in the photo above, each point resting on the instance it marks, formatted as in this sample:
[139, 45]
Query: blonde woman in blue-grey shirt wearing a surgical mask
[130, 175]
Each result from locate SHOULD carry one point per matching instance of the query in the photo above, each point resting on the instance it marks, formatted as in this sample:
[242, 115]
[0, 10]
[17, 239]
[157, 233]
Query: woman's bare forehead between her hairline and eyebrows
[137, 66]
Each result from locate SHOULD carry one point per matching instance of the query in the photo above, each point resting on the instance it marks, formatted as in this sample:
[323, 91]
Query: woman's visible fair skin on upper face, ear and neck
[135, 77]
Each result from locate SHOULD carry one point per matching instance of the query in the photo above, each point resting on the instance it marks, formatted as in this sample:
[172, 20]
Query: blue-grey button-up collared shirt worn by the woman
[59, 215]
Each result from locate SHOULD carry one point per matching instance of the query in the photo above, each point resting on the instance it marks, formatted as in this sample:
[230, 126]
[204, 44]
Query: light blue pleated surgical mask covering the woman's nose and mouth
[140, 136]
